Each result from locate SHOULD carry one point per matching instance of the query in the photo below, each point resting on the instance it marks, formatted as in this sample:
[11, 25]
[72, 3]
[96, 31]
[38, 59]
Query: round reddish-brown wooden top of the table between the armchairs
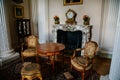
[50, 48]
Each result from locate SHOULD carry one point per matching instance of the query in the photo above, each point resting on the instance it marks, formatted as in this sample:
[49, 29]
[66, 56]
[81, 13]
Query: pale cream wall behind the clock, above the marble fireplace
[91, 8]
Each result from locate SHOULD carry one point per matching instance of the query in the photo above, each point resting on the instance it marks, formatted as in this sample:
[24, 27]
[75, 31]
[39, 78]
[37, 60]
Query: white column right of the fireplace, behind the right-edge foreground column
[108, 25]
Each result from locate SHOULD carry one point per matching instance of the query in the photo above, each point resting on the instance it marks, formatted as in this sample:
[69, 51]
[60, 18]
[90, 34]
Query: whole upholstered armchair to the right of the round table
[84, 63]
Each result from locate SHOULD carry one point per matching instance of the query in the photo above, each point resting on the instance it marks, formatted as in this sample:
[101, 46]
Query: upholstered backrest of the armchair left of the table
[32, 41]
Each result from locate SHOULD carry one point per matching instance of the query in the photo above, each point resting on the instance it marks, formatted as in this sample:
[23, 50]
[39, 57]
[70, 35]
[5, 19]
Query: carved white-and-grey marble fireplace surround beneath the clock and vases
[86, 31]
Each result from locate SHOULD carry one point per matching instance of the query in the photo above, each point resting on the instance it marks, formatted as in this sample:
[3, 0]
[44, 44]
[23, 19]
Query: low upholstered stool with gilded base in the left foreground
[30, 71]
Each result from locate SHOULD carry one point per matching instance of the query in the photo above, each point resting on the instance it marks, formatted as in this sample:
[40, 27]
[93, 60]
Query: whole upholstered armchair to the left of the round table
[29, 47]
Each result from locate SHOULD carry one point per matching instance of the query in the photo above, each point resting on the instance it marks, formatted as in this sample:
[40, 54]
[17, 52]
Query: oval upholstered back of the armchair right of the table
[90, 49]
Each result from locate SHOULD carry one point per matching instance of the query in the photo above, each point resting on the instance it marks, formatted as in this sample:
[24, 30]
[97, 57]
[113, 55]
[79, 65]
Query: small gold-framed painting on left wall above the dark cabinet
[19, 11]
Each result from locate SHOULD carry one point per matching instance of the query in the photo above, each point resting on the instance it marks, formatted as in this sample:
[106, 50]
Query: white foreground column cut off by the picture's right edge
[115, 64]
